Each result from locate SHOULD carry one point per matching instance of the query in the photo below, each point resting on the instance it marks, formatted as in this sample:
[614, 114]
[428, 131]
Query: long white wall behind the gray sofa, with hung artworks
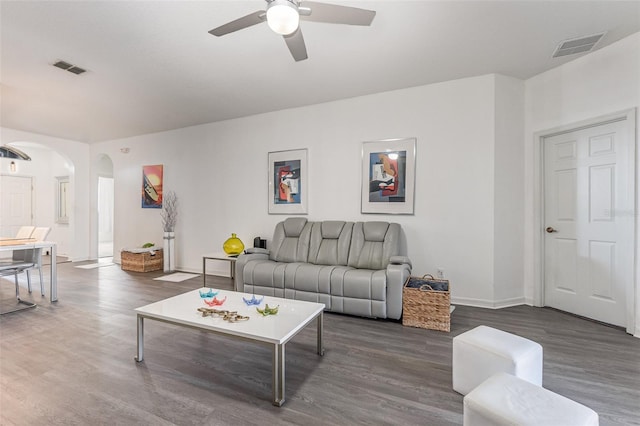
[219, 172]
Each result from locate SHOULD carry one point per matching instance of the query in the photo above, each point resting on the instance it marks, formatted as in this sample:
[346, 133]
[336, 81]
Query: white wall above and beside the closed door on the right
[598, 84]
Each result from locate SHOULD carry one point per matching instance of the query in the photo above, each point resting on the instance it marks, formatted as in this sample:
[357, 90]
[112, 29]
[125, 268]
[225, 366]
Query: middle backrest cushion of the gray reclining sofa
[330, 242]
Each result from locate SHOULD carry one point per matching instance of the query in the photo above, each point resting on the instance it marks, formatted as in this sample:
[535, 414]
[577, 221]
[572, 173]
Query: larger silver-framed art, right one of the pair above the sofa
[388, 176]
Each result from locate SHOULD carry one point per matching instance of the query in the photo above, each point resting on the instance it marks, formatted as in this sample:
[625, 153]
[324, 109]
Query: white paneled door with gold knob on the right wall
[589, 205]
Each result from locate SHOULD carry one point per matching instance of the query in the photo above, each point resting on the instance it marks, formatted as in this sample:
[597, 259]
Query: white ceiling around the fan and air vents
[152, 66]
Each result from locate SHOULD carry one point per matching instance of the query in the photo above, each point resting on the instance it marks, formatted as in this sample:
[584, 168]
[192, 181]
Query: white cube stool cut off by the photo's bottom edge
[504, 399]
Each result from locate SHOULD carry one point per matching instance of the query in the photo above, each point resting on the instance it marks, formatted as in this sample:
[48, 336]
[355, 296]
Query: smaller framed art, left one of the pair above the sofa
[288, 182]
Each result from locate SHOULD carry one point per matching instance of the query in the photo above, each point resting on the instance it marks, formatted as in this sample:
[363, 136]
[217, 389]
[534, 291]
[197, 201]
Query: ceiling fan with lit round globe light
[283, 18]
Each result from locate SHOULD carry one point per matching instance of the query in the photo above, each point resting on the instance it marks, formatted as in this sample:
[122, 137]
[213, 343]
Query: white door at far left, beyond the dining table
[15, 204]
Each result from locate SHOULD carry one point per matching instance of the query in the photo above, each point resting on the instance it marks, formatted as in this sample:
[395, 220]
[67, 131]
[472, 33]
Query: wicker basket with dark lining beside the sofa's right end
[426, 303]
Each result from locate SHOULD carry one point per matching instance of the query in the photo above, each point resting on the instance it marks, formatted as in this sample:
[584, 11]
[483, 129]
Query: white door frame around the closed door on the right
[632, 291]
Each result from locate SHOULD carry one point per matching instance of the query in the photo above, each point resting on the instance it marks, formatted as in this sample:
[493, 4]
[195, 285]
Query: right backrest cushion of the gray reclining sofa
[373, 244]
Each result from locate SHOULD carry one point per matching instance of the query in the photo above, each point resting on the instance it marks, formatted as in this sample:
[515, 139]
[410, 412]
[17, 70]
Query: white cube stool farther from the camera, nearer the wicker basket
[483, 351]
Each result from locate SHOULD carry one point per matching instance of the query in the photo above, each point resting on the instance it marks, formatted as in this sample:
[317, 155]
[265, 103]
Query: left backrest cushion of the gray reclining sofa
[291, 240]
